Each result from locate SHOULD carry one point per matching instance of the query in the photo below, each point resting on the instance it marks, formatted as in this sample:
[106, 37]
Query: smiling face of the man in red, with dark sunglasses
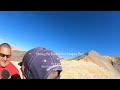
[5, 54]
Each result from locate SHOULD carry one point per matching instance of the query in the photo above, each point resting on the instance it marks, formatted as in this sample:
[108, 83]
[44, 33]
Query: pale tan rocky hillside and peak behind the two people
[90, 65]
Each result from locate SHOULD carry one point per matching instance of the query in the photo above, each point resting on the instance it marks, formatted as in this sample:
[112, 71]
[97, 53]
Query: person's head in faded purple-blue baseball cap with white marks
[40, 63]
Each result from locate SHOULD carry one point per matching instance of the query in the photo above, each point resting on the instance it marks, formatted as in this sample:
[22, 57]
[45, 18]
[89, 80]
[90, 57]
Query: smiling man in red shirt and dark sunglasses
[5, 63]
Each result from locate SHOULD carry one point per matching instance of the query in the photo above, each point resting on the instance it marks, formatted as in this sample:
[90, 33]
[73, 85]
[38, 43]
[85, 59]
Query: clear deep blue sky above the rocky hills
[62, 31]
